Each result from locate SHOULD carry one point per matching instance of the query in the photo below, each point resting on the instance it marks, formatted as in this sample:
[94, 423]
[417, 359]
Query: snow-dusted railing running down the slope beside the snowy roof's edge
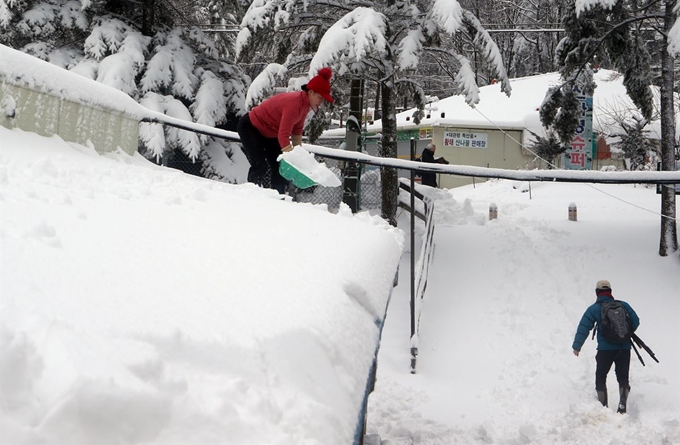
[424, 210]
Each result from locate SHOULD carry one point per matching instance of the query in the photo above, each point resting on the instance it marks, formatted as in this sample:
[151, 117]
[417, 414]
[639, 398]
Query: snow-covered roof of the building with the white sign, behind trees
[520, 111]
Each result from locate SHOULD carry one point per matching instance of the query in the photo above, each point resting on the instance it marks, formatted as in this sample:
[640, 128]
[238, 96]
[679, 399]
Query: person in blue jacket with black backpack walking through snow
[609, 350]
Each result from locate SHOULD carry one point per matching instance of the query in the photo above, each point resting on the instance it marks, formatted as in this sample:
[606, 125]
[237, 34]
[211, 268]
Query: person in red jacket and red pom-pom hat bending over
[276, 126]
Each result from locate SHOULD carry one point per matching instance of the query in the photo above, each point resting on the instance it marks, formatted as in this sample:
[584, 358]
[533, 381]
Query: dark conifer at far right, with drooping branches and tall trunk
[620, 35]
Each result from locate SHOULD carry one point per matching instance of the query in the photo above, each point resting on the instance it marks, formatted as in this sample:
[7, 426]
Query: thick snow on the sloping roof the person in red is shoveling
[140, 305]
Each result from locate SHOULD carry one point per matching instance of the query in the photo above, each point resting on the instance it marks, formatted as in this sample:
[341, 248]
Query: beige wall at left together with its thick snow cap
[42, 98]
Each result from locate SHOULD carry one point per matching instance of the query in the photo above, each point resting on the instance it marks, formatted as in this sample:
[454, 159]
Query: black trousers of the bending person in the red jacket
[261, 153]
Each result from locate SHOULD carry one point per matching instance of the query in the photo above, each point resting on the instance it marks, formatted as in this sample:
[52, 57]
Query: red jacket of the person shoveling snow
[281, 116]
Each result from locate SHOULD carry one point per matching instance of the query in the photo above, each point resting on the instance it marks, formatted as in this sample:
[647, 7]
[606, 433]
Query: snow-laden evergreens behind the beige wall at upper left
[146, 53]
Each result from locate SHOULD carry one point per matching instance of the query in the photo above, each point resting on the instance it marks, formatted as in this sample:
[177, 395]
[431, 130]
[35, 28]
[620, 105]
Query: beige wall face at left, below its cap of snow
[49, 115]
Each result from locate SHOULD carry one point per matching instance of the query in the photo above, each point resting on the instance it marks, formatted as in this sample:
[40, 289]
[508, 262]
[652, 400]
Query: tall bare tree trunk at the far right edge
[669, 231]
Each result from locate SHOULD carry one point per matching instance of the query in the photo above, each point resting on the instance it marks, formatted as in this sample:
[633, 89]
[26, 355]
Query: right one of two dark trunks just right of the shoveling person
[388, 176]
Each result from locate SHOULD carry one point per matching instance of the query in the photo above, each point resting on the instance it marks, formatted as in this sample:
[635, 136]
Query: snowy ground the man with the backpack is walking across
[503, 302]
